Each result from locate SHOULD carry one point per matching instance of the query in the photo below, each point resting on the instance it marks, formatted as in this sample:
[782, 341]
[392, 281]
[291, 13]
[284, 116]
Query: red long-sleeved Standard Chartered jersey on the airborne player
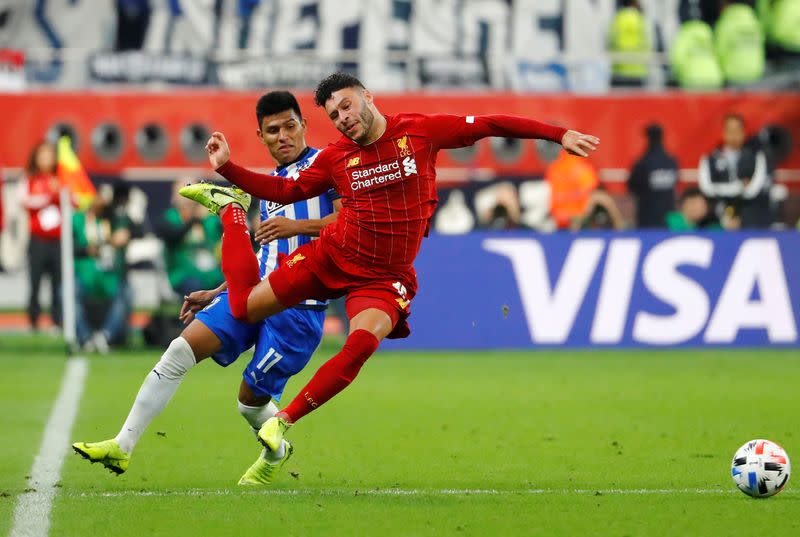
[388, 187]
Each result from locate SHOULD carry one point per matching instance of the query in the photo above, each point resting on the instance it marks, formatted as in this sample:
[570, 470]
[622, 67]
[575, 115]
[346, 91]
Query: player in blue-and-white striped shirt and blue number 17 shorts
[283, 343]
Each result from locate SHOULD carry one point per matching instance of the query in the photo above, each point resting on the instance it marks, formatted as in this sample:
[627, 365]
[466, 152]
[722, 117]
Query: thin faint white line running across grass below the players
[396, 492]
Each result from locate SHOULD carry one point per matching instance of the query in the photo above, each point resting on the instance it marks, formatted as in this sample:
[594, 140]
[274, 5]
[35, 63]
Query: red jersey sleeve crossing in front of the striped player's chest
[313, 181]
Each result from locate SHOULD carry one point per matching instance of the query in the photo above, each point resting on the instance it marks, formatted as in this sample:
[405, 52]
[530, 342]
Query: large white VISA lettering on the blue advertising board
[712, 306]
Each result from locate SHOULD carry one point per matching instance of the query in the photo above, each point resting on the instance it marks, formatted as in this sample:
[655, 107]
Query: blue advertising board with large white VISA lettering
[652, 289]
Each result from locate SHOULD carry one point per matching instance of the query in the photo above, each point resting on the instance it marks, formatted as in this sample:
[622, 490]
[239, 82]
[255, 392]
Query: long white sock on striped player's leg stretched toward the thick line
[157, 389]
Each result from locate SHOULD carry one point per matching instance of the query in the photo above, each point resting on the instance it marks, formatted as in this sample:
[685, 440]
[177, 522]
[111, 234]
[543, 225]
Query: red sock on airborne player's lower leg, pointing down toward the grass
[334, 375]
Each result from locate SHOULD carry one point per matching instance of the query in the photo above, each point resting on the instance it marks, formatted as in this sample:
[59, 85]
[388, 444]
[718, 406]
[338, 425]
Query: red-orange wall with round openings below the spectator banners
[692, 125]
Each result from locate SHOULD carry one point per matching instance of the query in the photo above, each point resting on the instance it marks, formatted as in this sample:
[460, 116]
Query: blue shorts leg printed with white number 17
[284, 347]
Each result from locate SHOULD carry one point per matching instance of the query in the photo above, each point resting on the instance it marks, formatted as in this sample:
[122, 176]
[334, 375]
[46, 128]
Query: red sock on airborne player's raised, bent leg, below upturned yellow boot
[239, 263]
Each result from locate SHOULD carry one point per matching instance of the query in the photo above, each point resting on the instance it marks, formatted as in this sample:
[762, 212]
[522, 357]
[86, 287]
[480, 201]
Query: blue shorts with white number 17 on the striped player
[283, 343]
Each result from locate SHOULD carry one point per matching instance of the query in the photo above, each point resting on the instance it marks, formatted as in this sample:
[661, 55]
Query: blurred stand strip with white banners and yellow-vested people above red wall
[524, 45]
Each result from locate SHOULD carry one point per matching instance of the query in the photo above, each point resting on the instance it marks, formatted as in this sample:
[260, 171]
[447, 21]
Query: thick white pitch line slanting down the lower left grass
[32, 513]
